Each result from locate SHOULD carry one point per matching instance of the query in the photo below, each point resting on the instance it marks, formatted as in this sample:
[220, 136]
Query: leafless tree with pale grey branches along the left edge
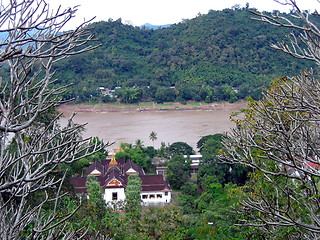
[30, 150]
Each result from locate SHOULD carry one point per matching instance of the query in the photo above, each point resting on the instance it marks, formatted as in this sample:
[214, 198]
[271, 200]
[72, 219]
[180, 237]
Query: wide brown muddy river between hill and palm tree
[170, 126]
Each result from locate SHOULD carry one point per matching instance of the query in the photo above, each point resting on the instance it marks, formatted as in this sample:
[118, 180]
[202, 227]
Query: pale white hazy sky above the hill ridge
[160, 12]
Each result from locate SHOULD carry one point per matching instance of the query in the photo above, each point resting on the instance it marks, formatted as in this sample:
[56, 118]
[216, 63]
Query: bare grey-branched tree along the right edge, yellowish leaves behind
[279, 137]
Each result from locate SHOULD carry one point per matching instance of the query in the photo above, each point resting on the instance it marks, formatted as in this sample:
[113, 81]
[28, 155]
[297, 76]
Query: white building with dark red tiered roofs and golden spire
[113, 175]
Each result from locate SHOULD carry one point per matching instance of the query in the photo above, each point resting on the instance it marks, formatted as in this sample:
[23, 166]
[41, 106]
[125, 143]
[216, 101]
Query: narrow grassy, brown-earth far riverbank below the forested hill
[152, 107]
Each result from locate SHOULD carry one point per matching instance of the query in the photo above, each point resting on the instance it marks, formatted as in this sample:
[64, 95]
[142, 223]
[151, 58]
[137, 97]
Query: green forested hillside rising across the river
[222, 55]
